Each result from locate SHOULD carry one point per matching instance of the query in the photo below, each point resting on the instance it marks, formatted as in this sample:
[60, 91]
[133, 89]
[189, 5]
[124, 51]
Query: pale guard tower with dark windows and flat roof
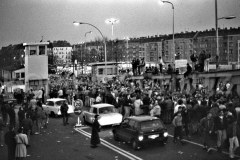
[36, 66]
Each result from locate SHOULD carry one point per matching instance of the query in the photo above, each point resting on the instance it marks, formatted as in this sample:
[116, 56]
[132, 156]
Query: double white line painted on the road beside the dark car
[111, 146]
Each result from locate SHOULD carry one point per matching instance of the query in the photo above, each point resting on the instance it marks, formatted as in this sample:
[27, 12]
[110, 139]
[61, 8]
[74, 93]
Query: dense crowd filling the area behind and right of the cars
[191, 113]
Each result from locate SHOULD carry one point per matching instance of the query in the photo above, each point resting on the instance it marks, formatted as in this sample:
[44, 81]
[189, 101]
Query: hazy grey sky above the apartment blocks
[29, 20]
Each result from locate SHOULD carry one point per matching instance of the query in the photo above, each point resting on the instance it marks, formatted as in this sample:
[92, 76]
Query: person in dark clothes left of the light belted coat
[9, 139]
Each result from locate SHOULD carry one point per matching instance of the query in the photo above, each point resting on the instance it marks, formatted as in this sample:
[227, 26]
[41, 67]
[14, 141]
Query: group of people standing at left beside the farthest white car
[31, 121]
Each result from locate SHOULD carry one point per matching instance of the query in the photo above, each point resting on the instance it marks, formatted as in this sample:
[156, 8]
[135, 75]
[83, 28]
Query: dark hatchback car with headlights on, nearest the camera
[139, 130]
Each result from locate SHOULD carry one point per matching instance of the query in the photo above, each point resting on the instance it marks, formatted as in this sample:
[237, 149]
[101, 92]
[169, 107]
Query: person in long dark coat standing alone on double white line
[95, 140]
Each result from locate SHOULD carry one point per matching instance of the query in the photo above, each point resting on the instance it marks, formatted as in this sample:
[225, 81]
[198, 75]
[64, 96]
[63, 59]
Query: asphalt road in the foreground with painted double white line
[60, 142]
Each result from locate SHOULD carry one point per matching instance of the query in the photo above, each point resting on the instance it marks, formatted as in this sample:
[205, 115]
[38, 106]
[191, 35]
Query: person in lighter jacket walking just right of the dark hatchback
[177, 123]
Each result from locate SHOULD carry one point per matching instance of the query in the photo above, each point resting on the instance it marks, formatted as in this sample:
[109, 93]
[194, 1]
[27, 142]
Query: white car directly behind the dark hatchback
[107, 112]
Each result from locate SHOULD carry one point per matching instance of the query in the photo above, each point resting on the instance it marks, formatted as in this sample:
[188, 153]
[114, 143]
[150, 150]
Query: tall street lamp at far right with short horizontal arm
[216, 20]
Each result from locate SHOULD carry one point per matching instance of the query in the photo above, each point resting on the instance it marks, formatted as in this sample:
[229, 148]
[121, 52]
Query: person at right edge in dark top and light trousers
[233, 133]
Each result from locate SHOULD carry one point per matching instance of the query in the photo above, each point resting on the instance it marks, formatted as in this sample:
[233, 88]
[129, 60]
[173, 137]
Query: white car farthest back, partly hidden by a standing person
[53, 106]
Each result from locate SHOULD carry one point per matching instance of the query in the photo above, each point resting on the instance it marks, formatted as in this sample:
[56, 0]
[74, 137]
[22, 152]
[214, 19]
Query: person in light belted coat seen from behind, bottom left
[22, 142]
